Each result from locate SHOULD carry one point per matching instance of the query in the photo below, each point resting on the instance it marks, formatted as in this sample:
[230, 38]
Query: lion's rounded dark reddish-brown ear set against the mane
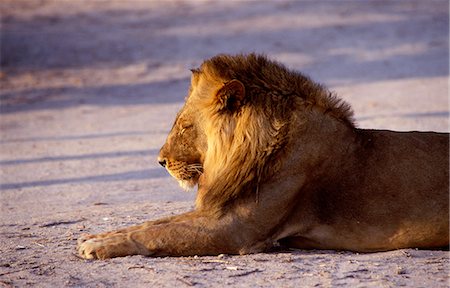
[231, 96]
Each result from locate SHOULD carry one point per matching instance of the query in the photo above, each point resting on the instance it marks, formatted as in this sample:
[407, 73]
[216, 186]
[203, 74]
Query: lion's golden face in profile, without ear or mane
[183, 153]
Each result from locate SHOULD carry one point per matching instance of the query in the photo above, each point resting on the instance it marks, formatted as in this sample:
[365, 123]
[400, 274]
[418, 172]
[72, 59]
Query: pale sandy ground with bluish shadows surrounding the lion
[89, 90]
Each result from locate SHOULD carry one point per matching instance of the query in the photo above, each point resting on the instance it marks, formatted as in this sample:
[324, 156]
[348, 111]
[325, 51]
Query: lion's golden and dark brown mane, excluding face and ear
[243, 147]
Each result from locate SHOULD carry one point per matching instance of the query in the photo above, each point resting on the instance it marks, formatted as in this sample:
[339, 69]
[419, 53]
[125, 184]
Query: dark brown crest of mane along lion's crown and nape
[262, 76]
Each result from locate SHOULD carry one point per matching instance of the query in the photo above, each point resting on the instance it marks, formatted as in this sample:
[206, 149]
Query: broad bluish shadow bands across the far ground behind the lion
[335, 48]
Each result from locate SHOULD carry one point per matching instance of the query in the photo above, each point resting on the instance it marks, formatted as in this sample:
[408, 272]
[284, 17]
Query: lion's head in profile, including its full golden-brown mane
[235, 122]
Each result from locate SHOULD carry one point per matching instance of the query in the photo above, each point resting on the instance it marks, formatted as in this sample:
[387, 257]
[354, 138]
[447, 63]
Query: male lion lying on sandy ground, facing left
[278, 160]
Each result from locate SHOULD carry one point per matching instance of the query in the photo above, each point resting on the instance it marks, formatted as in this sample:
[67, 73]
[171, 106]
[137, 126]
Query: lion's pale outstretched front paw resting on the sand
[103, 247]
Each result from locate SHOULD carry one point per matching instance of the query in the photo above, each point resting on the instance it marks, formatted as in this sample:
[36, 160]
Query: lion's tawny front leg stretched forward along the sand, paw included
[185, 235]
